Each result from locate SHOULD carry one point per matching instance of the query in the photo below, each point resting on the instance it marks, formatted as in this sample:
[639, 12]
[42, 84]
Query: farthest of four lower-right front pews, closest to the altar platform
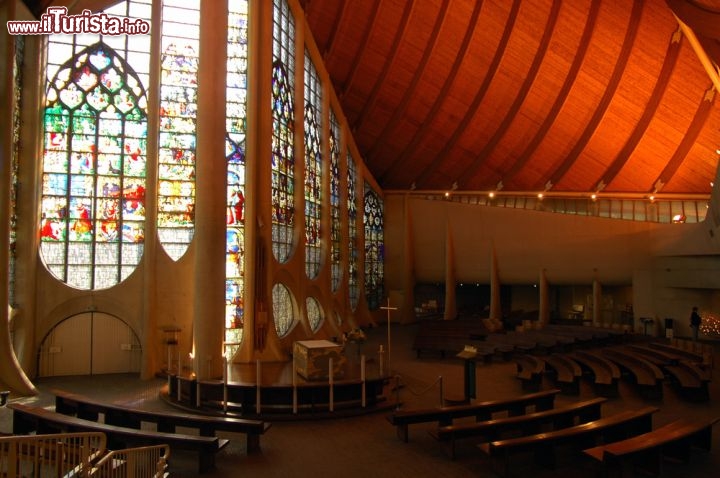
[401, 419]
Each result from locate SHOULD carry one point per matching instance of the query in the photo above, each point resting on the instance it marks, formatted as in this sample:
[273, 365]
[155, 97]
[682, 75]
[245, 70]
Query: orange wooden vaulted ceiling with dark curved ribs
[526, 95]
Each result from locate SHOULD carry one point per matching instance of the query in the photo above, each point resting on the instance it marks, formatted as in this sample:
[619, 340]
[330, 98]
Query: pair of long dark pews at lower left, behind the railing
[123, 426]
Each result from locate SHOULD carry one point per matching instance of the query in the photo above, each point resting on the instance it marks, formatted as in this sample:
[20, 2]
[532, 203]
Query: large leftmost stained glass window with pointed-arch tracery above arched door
[94, 159]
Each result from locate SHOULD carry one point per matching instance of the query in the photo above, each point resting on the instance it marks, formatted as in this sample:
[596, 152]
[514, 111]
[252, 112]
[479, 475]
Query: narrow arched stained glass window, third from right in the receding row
[335, 234]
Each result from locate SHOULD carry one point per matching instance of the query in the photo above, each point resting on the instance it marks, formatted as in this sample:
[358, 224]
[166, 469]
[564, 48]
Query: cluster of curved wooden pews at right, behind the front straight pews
[647, 366]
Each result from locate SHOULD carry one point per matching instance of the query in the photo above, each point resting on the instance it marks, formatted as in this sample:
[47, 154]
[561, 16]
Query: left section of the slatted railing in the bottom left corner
[50, 455]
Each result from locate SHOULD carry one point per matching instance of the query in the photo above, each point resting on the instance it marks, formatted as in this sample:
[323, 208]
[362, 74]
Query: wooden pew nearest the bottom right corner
[647, 450]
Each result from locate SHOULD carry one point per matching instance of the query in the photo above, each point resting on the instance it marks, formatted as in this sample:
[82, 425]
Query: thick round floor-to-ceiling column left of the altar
[210, 199]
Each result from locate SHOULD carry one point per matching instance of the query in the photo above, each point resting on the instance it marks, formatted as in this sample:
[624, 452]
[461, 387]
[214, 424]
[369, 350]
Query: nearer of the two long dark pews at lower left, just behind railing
[27, 419]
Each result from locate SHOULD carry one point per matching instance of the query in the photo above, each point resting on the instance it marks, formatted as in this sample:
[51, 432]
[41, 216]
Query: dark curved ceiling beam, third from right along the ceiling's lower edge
[610, 90]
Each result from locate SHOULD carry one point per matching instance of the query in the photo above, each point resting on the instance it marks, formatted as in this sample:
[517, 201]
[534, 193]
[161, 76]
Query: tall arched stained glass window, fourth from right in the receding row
[313, 168]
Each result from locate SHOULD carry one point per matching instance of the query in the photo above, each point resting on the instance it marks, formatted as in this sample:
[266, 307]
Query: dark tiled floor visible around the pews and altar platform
[366, 446]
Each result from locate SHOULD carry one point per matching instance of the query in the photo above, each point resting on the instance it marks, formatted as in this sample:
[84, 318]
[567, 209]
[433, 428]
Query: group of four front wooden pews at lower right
[530, 424]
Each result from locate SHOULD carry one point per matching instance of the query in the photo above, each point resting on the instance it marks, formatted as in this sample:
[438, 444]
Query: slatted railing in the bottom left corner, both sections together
[79, 455]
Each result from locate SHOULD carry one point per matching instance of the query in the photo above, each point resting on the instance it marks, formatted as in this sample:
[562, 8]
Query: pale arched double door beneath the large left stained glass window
[90, 343]
